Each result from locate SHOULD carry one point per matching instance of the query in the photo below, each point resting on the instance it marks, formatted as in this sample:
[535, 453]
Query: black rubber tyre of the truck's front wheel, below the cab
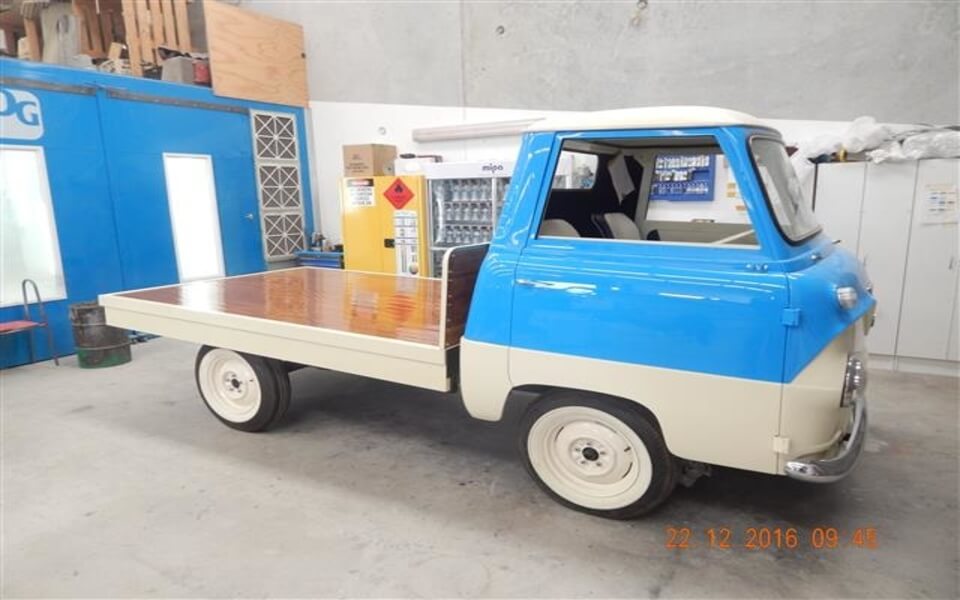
[664, 472]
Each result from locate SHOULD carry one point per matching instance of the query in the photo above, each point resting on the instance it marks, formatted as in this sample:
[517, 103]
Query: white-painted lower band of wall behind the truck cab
[335, 124]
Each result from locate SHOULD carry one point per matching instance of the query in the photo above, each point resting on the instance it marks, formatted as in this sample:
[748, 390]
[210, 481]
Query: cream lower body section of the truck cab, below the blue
[740, 423]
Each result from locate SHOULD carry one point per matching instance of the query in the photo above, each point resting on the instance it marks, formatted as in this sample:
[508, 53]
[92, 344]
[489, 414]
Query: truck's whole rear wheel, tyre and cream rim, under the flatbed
[246, 392]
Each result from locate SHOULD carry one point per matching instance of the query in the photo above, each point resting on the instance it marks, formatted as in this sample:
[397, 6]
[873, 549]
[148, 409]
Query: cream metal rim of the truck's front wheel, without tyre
[589, 457]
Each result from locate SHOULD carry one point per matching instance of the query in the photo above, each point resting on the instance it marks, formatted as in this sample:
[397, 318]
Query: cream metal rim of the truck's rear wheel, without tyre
[229, 385]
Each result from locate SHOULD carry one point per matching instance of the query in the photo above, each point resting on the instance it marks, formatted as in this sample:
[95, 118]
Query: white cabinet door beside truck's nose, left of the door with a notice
[884, 231]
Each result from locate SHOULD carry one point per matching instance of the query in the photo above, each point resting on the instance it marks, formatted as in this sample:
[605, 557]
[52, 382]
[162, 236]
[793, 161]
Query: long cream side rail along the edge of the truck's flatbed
[420, 365]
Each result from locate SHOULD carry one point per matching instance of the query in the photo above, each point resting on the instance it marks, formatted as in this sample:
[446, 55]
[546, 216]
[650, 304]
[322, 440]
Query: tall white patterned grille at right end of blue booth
[279, 186]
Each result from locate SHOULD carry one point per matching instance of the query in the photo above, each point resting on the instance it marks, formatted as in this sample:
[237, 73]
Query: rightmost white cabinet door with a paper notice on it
[931, 278]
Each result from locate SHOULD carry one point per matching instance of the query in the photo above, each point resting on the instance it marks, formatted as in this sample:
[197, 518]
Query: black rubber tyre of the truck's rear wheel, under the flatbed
[274, 387]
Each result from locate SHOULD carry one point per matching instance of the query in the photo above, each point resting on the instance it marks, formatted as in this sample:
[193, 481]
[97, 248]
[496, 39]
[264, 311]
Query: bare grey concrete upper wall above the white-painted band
[896, 61]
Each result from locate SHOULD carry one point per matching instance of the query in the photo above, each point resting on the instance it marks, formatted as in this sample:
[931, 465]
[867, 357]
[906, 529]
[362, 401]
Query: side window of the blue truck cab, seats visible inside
[651, 190]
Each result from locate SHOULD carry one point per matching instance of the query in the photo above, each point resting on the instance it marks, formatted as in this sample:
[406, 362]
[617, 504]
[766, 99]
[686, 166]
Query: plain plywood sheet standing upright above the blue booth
[255, 57]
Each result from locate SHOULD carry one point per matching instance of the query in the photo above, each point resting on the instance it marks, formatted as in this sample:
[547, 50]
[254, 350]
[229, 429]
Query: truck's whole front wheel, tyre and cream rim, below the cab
[597, 455]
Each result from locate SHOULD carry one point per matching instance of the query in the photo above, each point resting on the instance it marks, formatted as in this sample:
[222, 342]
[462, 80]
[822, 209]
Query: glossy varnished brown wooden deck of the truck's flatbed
[382, 305]
